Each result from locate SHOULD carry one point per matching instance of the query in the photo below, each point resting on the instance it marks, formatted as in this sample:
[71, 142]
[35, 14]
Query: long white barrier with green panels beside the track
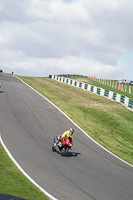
[99, 91]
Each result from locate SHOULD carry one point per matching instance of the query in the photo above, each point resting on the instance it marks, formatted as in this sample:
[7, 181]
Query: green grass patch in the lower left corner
[13, 182]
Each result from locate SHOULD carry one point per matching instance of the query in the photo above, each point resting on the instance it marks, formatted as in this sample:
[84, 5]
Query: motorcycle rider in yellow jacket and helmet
[66, 134]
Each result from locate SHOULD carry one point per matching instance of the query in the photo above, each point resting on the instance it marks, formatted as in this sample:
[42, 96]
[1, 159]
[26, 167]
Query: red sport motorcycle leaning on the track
[66, 144]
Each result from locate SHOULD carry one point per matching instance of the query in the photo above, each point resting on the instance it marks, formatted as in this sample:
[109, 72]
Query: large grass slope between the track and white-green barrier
[108, 122]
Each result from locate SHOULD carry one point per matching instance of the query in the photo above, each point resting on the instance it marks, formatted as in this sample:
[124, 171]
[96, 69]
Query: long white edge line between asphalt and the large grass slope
[77, 125]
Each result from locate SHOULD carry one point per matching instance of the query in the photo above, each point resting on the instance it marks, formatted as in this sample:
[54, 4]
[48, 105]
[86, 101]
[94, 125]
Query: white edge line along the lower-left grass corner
[20, 168]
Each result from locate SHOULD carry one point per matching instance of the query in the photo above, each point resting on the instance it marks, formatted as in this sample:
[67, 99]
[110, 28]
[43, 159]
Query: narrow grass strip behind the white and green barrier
[101, 85]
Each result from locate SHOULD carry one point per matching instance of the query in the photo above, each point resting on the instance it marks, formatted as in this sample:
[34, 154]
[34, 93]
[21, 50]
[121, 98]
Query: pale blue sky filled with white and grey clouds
[86, 37]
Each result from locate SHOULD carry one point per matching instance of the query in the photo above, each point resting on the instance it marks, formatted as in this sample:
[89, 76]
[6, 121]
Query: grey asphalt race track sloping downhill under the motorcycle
[28, 124]
